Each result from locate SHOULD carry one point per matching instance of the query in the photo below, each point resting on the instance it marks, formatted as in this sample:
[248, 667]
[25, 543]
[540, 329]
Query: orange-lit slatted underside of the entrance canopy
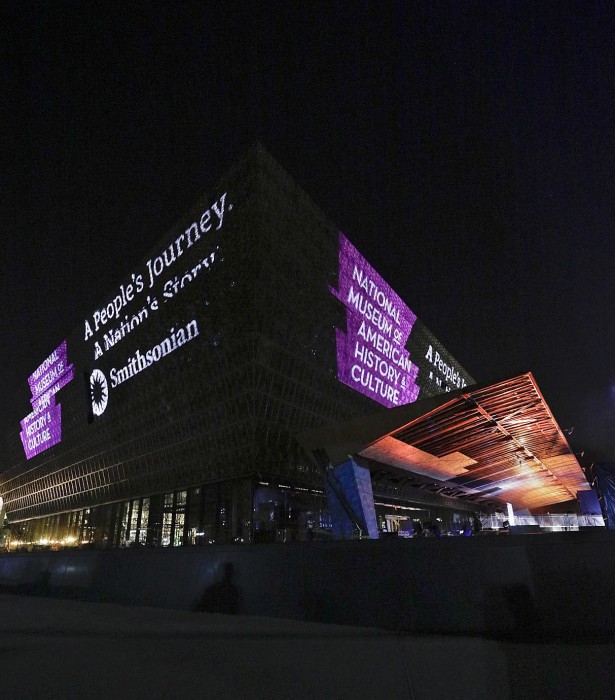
[500, 441]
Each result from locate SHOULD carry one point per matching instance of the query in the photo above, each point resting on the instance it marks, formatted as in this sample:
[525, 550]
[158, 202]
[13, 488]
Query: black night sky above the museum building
[467, 149]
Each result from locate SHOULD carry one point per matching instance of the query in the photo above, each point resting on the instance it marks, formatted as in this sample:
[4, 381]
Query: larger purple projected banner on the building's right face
[371, 355]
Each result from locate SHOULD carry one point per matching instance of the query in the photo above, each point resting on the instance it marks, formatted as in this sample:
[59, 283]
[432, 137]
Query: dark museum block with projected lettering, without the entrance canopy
[169, 415]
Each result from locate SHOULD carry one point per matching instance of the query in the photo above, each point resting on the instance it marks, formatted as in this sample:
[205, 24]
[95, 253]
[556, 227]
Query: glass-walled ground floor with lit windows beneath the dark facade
[236, 511]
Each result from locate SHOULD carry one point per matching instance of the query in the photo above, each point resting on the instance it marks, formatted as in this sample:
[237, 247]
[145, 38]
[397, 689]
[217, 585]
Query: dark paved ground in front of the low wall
[67, 649]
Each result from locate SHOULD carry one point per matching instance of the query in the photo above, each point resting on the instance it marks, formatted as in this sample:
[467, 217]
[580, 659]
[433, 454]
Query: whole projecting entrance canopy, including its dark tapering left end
[496, 443]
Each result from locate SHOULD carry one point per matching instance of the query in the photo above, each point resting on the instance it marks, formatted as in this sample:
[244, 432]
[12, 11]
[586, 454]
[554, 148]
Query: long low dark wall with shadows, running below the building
[511, 585]
